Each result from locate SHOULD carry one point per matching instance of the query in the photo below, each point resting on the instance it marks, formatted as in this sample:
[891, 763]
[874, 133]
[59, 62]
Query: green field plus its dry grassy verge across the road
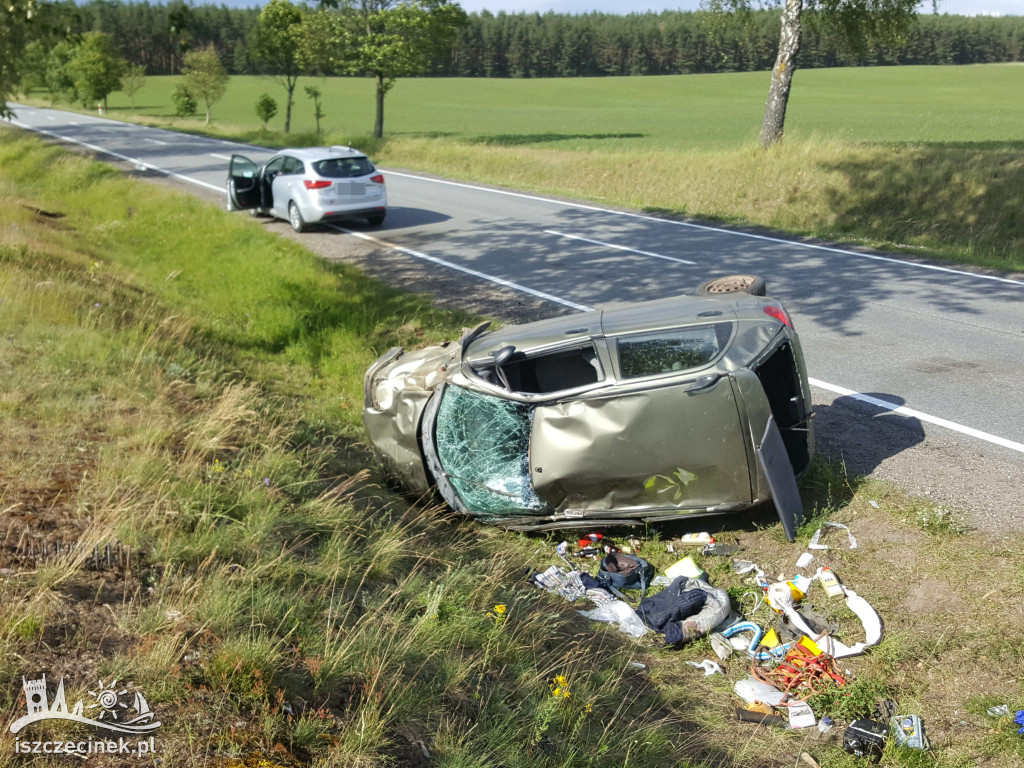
[922, 160]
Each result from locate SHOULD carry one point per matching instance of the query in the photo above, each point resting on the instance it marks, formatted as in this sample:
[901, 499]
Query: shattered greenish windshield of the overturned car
[484, 447]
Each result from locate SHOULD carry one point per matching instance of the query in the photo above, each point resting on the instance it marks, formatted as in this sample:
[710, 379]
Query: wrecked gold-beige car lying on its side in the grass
[649, 412]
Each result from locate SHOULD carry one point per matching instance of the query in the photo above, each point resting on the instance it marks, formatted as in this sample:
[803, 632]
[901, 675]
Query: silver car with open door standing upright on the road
[308, 187]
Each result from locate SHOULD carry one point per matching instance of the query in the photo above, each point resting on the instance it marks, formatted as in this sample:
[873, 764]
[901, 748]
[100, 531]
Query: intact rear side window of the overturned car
[671, 351]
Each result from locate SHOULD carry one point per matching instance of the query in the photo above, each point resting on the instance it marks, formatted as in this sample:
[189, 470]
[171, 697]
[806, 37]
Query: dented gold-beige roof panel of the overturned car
[660, 449]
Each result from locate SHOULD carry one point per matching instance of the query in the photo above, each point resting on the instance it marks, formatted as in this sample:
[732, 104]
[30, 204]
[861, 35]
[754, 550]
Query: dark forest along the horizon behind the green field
[158, 35]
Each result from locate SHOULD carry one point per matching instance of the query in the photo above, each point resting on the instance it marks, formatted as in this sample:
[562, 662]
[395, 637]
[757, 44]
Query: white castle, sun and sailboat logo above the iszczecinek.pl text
[113, 714]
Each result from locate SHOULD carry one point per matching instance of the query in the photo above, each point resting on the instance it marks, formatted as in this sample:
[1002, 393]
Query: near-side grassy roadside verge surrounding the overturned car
[188, 386]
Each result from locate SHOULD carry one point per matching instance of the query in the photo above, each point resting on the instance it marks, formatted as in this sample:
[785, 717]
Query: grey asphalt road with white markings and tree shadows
[917, 367]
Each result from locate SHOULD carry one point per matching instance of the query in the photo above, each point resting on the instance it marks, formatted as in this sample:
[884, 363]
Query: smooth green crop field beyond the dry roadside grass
[974, 104]
